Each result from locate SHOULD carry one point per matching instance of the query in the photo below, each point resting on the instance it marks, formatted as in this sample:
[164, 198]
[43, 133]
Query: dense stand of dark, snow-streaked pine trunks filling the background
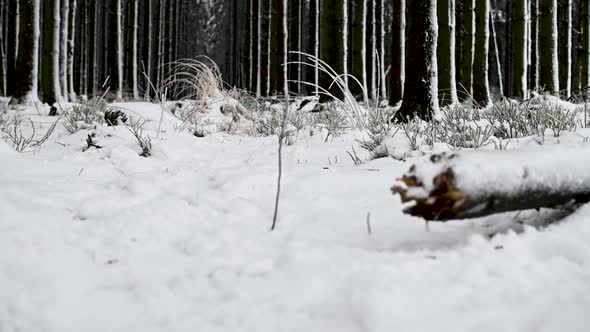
[400, 50]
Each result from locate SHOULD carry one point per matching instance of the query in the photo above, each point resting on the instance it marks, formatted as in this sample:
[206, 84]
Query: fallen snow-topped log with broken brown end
[479, 183]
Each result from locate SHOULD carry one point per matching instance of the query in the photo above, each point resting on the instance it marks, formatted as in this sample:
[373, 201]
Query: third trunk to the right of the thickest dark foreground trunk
[481, 87]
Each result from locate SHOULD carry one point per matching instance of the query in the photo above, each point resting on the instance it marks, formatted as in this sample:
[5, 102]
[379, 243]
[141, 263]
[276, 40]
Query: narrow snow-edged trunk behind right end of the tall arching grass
[358, 48]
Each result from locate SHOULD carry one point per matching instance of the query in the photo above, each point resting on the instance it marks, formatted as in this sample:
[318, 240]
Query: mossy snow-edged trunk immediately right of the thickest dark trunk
[446, 52]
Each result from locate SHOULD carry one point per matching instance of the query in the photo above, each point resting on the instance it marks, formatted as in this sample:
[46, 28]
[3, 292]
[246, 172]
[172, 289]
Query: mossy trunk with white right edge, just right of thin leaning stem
[519, 58]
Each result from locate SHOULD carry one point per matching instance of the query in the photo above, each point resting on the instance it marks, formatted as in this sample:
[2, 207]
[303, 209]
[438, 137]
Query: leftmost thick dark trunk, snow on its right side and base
[25, 90]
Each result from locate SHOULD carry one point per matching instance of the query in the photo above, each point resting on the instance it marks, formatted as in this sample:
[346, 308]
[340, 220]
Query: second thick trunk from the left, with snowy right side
[50, 59]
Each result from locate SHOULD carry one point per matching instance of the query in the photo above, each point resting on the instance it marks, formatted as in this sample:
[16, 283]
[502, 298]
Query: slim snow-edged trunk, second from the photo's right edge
[565, 47]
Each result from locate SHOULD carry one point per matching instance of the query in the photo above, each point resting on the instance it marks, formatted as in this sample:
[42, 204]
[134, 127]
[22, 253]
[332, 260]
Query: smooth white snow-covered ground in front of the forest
[106, 240]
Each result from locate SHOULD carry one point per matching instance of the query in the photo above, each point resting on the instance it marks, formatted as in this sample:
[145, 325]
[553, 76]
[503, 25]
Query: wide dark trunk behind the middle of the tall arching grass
[332, 43]
